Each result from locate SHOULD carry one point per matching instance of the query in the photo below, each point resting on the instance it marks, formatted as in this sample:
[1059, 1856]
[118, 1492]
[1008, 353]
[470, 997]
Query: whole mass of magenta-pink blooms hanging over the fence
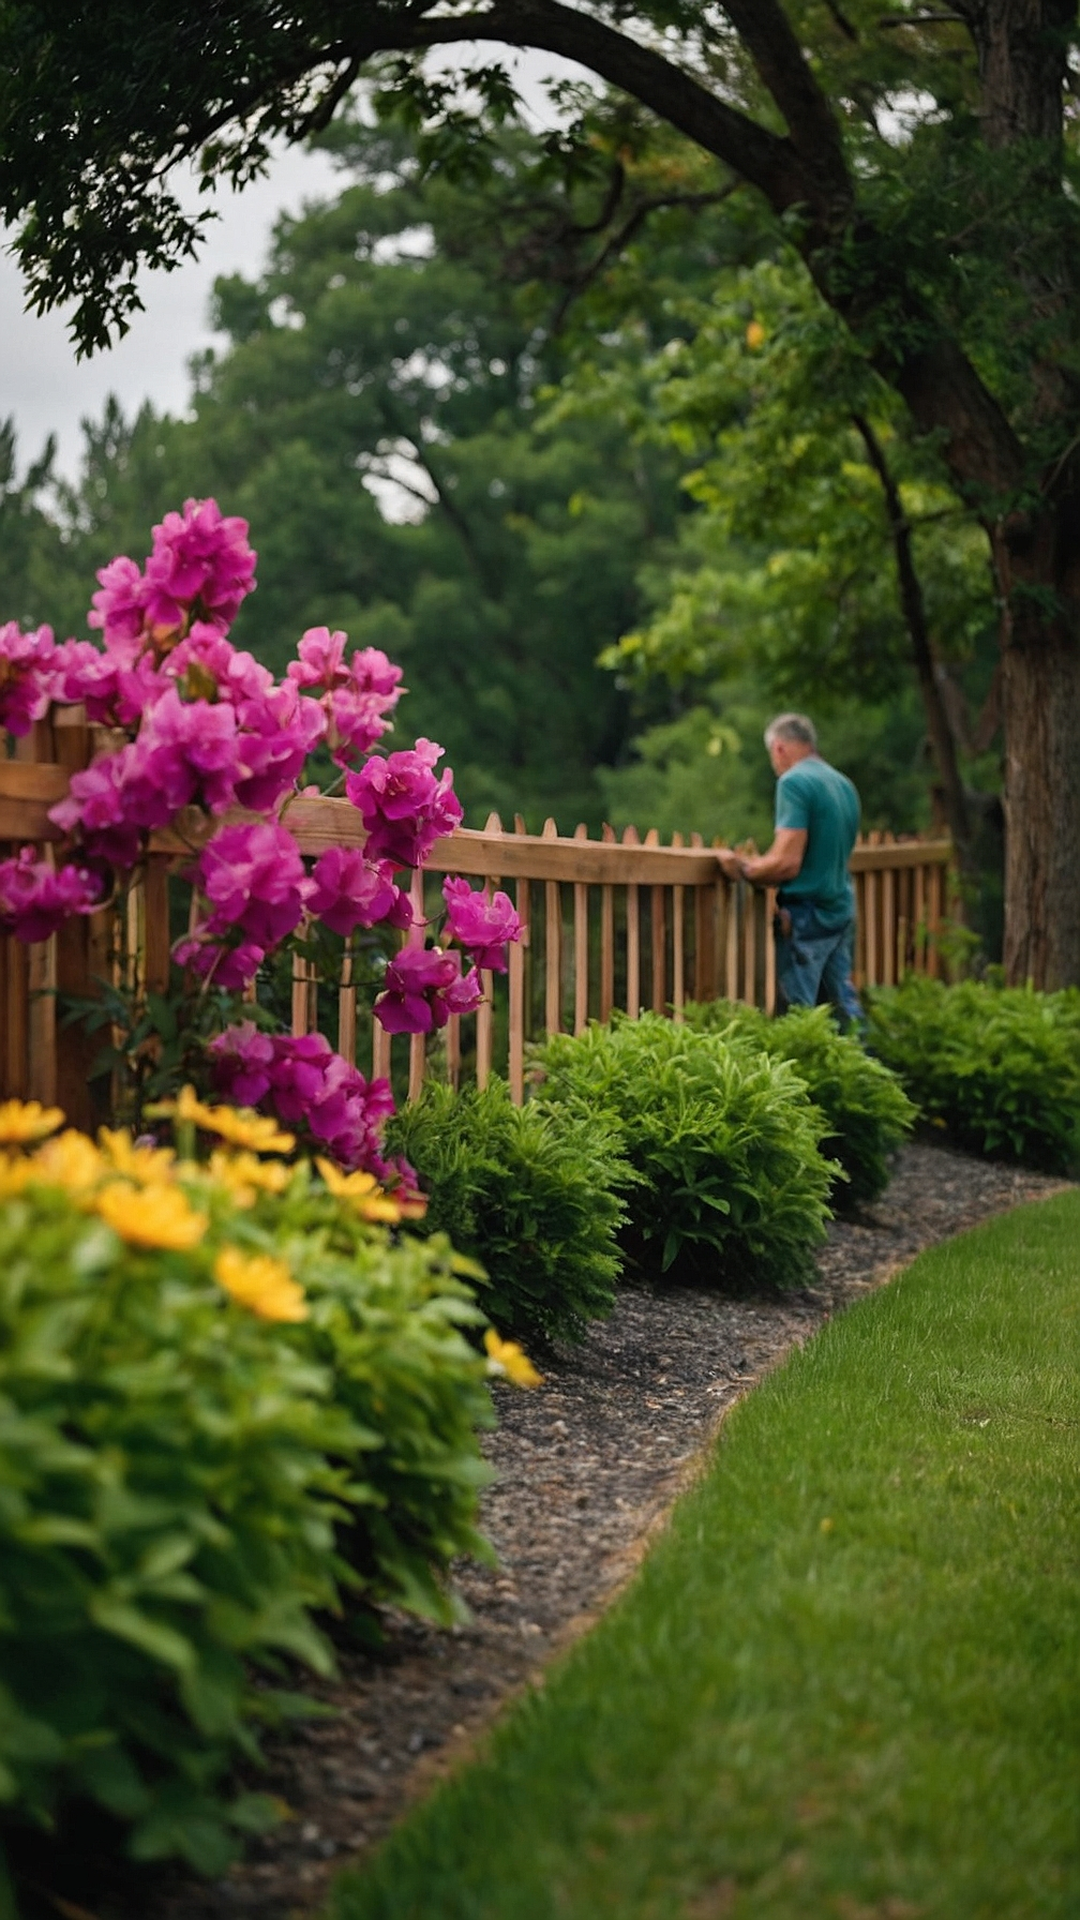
[207, 732]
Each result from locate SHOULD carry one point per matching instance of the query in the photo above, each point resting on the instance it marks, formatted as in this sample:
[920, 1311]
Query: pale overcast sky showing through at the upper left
[49, 391]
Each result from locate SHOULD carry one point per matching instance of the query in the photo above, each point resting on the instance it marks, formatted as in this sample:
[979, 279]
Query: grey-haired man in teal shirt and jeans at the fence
[818, 821]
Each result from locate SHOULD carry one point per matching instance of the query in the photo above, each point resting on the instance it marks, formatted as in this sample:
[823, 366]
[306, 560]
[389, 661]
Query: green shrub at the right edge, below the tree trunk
[996, 1067]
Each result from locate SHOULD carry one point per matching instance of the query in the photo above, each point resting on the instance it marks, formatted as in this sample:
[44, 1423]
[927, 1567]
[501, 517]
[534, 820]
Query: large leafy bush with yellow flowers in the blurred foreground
[226, 1399]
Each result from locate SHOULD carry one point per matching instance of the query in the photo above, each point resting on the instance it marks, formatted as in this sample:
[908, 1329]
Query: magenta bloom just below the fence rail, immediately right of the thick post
[255, 882]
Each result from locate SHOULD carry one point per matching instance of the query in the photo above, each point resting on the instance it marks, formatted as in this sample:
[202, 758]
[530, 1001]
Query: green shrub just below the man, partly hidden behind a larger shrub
[864, 1105]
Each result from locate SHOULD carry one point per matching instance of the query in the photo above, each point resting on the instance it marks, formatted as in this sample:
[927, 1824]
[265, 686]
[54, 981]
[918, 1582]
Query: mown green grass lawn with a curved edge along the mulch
[847, 1681]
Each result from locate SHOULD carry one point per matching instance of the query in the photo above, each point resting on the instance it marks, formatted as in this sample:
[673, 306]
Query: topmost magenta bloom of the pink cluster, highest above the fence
[201, 564]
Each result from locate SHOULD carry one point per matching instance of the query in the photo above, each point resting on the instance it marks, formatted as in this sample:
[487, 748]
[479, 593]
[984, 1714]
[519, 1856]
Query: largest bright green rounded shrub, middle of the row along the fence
[724, 1138]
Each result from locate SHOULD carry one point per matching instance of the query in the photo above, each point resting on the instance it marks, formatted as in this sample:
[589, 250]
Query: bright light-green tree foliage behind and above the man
[787, 571]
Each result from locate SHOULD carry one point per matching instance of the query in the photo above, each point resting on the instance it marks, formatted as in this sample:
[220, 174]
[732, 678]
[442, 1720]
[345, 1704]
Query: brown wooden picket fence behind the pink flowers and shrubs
[608, 924]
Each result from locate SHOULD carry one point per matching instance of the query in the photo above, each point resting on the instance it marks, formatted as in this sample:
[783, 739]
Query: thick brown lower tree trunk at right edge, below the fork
[1041, 686]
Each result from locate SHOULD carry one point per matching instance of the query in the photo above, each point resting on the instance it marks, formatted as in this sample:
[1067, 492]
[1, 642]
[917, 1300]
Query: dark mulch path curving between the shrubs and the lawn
[587, 1468]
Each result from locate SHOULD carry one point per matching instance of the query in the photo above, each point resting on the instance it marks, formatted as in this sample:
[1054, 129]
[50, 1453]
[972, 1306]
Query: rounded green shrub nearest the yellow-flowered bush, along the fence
[533, 1195]
